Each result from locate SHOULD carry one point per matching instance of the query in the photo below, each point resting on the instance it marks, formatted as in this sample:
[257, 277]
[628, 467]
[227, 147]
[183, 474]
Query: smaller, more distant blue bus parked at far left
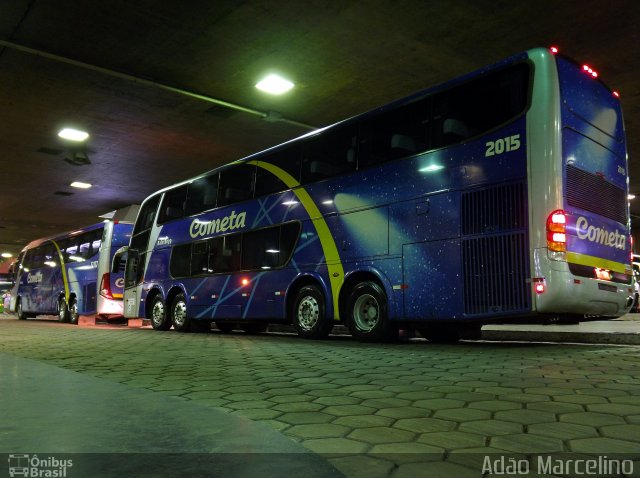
[69, 275]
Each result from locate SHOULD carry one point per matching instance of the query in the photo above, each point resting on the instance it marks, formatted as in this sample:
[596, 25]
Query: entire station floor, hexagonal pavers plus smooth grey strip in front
[125, 401]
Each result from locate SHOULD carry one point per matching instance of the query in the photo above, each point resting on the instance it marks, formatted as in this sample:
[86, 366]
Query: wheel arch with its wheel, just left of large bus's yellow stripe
[307, 309]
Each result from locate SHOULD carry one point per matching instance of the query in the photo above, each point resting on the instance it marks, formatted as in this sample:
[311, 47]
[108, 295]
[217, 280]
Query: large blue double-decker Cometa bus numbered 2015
[498, 196]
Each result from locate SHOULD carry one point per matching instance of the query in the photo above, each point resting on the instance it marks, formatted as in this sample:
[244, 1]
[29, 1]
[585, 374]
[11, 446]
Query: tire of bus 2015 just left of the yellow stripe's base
[309, 317]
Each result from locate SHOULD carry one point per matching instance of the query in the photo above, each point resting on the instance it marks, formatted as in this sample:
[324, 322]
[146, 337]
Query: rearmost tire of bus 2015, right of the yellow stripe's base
[367, 317]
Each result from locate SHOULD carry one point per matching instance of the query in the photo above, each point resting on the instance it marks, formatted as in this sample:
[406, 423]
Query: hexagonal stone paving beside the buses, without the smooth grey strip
[375, 410]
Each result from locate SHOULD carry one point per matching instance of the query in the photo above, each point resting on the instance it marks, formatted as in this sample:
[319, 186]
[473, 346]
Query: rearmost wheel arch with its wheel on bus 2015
[364, 306]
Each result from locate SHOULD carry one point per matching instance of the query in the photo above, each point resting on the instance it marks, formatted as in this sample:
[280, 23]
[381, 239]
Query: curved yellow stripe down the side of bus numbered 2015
[332, 257]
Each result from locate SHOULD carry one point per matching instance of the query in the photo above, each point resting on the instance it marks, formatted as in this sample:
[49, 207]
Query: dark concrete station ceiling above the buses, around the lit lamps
[59, 59]
